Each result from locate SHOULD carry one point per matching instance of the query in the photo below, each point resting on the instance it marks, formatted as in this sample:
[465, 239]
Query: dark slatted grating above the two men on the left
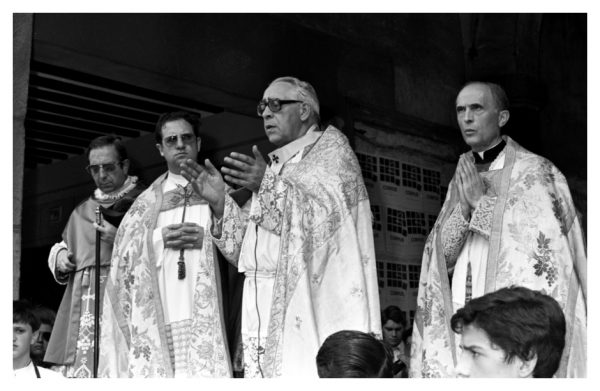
[66, 109]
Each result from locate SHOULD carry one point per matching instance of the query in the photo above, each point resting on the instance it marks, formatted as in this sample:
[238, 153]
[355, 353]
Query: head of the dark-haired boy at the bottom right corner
[512, 332]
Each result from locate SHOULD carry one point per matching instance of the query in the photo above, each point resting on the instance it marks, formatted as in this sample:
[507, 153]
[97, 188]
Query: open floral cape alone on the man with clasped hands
[132, 316]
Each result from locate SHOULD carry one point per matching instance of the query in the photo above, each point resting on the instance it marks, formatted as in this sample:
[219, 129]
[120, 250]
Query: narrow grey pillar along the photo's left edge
[22, 37]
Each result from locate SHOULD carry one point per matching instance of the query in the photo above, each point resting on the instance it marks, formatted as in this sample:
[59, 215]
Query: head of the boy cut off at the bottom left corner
[25, 329]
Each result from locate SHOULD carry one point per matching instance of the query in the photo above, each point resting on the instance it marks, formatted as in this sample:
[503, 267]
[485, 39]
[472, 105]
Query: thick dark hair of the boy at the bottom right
[522, 322]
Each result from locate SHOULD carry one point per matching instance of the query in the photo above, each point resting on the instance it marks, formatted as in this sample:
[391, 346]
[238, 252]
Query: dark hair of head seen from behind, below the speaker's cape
[350, 353]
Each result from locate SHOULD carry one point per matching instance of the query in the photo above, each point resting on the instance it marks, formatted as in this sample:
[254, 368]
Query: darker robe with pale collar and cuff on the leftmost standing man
[72, 339]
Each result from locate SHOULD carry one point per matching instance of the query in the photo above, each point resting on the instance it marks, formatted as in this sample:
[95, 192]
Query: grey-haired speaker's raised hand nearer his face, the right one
[248, 171]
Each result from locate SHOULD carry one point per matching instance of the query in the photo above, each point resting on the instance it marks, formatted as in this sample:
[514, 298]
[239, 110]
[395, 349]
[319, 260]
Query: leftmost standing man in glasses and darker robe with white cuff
[72, 261]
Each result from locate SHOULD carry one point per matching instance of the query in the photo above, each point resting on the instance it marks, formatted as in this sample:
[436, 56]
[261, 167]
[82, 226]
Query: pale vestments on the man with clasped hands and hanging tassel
[156, 324]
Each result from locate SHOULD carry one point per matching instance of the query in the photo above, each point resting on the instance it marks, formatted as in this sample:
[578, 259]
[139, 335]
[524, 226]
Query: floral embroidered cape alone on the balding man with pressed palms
[535, 250]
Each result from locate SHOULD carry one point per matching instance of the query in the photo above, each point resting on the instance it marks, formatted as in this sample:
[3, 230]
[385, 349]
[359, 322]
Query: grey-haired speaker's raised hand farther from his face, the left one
[207, 182]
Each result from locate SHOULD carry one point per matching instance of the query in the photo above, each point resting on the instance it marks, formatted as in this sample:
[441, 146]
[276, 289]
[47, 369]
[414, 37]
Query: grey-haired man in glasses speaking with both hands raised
[306, 246]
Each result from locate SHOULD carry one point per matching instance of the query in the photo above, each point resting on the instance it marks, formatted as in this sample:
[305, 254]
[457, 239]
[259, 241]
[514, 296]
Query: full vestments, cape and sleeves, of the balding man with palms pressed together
[524, 231]
